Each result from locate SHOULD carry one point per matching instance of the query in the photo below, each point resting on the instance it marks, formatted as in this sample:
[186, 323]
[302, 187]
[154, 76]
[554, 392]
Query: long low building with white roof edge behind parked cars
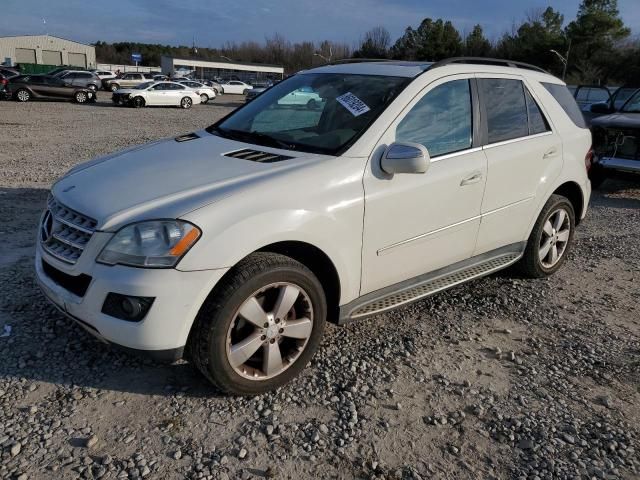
[220, 69]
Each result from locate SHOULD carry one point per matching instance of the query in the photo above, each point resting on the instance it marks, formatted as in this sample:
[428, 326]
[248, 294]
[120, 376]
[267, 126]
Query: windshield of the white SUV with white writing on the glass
[314, 112]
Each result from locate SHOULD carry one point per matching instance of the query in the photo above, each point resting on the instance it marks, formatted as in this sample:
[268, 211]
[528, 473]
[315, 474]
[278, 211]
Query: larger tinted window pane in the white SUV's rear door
[506, 109]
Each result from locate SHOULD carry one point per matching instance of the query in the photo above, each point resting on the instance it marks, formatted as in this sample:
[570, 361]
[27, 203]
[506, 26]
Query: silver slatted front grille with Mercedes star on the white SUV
[64, 233]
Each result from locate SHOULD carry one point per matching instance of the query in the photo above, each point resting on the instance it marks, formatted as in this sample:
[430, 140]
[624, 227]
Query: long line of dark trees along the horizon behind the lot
[596, 46]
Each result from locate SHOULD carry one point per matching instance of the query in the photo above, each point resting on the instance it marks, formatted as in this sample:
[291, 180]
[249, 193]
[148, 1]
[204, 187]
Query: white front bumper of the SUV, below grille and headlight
[163, 332]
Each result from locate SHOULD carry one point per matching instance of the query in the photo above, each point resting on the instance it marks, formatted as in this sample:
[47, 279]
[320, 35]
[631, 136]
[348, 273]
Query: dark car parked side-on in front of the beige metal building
[26, 87]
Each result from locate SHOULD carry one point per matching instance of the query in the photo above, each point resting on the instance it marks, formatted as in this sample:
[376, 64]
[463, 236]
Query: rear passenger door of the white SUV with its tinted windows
[523, 153]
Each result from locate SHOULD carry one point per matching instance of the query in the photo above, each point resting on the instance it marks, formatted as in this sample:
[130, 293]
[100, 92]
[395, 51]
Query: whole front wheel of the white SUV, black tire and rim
[219, 325]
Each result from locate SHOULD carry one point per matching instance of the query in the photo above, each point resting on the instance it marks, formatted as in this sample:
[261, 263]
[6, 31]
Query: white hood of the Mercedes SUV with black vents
[166, 179]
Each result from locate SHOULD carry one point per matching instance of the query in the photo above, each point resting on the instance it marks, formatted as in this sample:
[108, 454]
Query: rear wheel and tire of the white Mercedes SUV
[544, 235]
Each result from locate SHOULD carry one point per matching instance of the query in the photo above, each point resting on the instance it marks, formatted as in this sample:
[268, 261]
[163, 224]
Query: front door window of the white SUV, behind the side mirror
[441, 120]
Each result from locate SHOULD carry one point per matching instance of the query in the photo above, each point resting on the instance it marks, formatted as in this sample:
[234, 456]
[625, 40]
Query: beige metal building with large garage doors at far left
[46, 50]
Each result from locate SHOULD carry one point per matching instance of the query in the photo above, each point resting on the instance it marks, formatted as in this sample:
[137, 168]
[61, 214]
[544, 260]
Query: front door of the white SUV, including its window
[418, 223]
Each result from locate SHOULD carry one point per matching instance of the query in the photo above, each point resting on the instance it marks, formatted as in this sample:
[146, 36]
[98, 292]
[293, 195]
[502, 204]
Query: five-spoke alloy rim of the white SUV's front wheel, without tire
[269, 331]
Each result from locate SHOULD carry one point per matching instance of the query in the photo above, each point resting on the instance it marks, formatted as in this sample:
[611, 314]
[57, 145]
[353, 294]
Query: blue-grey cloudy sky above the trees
[214, 22]
